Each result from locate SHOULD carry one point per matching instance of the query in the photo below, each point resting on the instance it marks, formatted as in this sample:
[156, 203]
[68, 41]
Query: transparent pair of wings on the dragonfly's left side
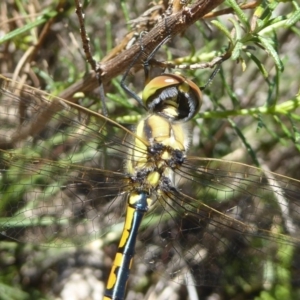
[62, 179]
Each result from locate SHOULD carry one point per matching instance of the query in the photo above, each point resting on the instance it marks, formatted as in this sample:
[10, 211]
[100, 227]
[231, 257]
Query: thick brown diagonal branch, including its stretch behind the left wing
[170, 26]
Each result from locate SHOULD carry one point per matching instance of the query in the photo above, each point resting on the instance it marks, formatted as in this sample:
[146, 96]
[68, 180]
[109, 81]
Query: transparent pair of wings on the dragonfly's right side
[225, 224]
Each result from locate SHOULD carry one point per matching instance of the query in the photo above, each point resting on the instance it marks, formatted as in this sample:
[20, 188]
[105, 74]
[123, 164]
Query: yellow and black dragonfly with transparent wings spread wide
[70, 175]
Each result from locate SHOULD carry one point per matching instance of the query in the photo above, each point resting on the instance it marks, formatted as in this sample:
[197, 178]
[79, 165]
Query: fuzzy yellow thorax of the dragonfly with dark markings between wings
[159, 148]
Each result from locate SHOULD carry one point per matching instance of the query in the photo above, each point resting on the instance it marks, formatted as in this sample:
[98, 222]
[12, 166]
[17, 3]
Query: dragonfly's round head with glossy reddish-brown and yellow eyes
[172, 96]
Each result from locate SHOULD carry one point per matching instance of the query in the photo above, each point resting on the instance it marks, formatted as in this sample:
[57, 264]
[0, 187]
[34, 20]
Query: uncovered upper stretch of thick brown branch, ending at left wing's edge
[171, 25]
